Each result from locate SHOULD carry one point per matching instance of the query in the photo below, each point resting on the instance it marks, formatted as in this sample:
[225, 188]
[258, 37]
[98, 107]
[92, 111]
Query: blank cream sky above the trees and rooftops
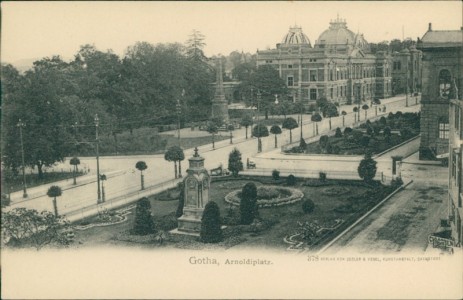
[33, 30]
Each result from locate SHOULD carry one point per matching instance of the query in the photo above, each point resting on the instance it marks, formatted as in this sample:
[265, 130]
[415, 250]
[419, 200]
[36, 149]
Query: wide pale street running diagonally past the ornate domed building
[127, 178]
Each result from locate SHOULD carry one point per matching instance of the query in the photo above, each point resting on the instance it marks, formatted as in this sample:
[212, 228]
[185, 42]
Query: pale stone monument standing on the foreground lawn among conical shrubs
[196, 195]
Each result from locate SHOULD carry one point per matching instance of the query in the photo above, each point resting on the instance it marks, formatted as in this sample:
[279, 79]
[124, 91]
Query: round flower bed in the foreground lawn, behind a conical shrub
[268, 196]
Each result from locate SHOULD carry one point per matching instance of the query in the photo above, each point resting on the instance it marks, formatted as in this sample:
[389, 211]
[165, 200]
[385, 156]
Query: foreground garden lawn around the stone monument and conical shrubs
[332, 204]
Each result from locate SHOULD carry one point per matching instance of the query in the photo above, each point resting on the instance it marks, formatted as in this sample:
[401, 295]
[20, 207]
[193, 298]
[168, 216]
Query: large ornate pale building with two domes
[339, 67]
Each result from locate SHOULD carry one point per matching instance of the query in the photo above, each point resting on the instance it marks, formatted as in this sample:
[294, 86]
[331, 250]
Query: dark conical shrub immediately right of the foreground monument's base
[211, 231]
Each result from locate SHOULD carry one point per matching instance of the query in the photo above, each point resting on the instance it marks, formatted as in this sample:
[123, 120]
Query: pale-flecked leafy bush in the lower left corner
[27, 227]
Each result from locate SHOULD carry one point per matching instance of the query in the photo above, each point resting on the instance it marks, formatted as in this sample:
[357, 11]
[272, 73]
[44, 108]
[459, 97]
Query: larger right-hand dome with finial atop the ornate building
[337, 34]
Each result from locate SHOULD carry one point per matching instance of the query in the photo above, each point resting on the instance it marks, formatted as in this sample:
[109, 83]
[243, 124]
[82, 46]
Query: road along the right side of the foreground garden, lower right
[405, 221]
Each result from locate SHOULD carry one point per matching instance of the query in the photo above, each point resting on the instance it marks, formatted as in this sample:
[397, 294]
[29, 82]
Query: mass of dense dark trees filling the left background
[57, 101]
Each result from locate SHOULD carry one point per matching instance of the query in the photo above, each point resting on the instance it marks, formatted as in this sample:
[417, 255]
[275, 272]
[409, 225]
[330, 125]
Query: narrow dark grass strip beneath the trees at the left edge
[13, 183]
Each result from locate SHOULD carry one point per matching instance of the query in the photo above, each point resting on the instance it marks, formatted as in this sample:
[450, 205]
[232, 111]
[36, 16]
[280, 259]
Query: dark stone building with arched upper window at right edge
[441, 80]
